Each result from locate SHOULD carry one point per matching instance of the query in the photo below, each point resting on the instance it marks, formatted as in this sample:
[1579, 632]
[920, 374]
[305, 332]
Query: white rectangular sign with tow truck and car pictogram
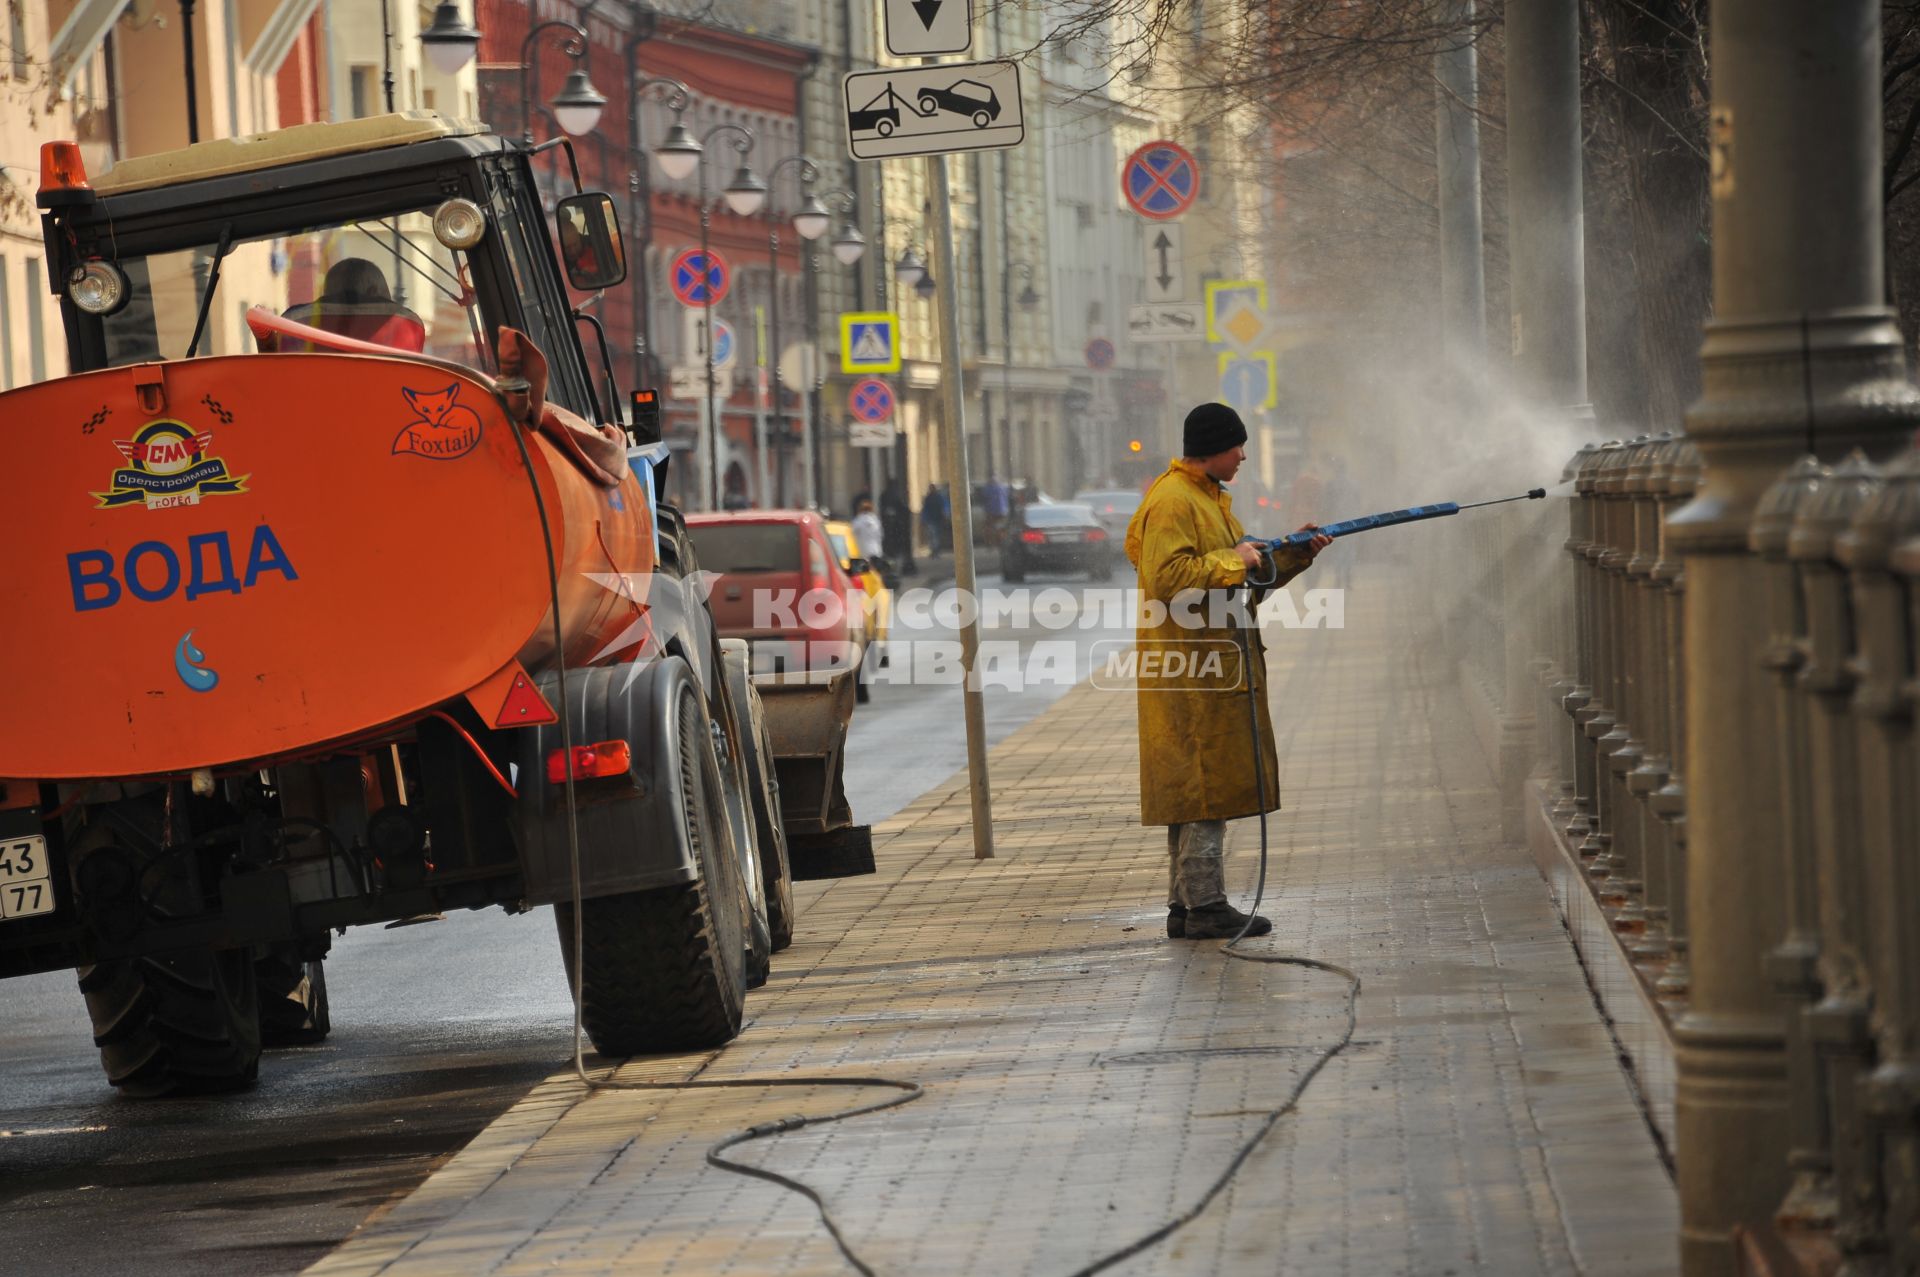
[953, 107]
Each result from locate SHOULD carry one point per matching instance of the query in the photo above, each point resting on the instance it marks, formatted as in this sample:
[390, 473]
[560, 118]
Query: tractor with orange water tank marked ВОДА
[337, 602]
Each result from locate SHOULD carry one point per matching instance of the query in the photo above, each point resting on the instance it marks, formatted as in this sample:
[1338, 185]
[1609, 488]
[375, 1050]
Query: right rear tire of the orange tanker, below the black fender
[665, 969]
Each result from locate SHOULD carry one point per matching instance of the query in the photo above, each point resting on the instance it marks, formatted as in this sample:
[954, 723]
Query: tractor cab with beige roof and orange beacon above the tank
[404, 231]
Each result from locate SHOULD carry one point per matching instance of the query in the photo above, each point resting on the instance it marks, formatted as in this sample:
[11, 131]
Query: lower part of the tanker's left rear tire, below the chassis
[185, 1024]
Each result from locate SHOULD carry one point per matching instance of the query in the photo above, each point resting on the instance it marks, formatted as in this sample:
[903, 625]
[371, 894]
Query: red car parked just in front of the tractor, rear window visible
[782, 589]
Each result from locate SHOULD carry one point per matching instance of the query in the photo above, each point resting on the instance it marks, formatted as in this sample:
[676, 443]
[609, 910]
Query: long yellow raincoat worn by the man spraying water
[1197, 759]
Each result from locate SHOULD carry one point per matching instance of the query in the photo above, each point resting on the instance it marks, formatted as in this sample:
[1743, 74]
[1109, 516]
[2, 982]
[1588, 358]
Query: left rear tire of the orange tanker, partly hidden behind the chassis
[185, 1023]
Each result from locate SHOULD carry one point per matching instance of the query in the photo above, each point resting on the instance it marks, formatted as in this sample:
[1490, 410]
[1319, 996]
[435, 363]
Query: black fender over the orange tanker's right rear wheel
[631, 825]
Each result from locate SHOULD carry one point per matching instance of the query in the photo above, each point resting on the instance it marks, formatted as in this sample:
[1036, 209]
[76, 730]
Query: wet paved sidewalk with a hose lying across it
[1477, 1124]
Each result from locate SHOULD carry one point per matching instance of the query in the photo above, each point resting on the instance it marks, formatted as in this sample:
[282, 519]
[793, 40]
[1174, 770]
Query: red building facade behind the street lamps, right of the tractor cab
[734, 82]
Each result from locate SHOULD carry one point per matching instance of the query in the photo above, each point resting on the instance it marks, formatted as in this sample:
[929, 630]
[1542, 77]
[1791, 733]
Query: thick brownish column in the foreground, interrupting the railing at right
[1802, 350]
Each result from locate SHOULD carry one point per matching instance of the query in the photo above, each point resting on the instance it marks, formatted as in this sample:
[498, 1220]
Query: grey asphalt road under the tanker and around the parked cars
[439, 1028]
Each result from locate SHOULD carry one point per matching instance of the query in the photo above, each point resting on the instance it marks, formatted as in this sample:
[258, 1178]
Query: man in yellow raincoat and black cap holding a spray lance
[1197, 744]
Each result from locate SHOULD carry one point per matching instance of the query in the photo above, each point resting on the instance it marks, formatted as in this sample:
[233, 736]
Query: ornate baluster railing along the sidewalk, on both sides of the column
[1838, 554]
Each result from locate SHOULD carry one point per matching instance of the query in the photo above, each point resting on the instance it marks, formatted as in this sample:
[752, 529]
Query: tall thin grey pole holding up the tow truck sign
[963, 506]
